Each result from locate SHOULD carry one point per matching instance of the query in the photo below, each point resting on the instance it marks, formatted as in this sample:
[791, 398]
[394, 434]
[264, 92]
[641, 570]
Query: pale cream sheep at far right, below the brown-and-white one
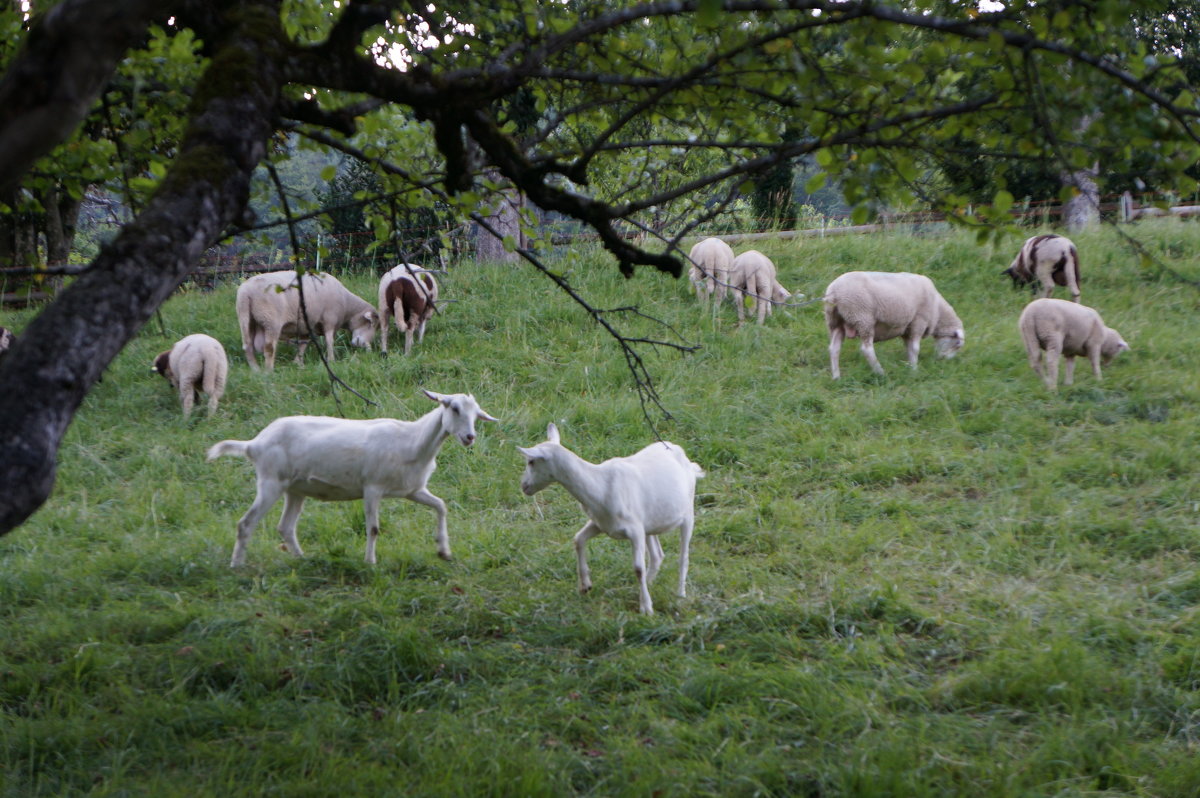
[1055, 328]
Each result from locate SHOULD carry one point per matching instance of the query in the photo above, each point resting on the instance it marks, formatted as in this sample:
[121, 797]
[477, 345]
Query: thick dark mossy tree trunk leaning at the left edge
[63, 352]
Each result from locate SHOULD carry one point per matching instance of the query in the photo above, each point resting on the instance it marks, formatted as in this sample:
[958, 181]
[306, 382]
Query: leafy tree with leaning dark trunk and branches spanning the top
[623, 116]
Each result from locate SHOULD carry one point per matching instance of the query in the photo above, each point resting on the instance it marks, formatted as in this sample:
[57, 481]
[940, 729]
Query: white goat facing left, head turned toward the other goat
[633, 499]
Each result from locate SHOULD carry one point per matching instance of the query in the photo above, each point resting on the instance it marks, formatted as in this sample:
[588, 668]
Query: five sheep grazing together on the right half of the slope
[879, 307]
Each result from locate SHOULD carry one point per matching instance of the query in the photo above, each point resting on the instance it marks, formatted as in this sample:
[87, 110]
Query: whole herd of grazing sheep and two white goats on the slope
[634, 499]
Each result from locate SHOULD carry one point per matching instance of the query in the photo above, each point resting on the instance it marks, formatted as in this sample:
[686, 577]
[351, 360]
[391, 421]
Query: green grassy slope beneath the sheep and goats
[928, 584]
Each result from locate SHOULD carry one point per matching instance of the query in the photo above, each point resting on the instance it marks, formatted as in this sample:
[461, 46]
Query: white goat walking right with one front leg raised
[340, 460]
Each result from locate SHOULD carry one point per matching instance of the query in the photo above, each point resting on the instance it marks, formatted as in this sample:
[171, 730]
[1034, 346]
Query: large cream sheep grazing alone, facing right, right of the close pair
[878, 307]
